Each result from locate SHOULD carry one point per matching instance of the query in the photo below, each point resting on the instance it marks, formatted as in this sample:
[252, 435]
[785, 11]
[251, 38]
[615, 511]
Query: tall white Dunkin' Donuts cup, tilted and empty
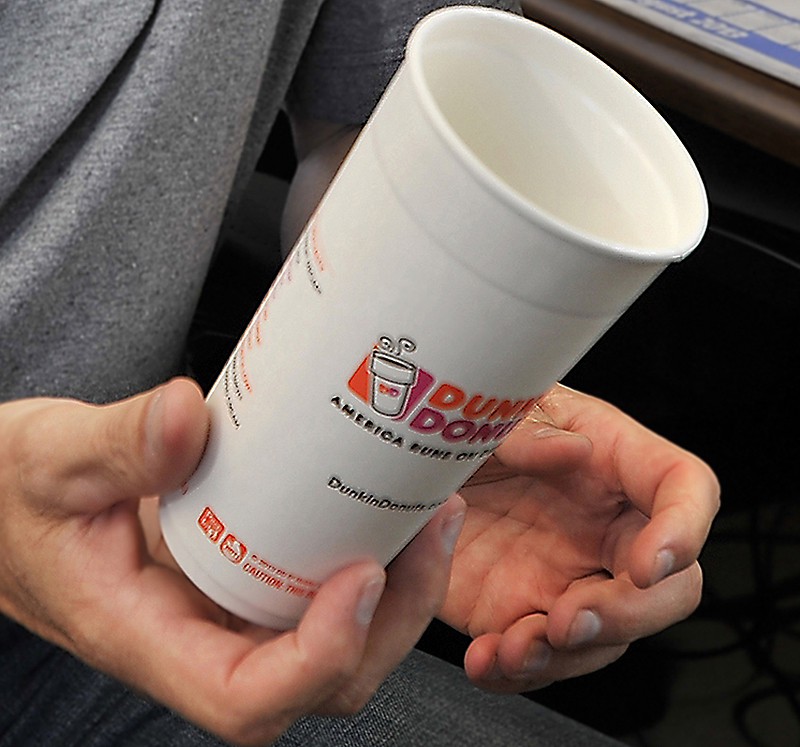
[509, 198]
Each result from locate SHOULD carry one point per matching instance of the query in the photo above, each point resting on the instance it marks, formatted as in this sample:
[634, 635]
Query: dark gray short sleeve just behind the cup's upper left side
[354, 50]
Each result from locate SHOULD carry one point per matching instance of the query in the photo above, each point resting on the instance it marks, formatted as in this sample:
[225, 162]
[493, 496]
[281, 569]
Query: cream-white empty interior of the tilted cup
[559, 132]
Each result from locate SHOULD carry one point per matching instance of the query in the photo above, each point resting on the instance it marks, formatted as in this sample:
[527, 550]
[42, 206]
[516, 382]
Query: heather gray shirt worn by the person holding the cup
[128, 129]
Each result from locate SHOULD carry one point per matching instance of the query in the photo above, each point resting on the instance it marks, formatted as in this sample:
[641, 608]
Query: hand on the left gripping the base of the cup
[75, 568]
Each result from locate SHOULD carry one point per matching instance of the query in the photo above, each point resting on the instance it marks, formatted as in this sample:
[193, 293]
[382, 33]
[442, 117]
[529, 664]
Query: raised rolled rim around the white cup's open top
[676, 250]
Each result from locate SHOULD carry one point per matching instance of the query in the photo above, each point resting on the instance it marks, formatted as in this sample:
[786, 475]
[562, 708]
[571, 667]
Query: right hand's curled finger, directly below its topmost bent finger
[614, 611]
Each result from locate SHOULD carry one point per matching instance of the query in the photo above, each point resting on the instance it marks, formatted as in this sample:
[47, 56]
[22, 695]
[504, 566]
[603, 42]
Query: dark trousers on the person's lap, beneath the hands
[50, 699]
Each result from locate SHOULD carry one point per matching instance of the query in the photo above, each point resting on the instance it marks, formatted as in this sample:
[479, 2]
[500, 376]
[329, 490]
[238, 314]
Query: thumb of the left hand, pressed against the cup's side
[74, 457]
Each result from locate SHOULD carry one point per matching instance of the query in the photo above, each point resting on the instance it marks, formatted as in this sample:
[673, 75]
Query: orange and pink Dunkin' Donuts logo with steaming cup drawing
[397, 388]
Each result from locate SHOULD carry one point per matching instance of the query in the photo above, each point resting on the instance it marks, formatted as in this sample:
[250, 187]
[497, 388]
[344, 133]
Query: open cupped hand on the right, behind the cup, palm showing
[582, 534]
